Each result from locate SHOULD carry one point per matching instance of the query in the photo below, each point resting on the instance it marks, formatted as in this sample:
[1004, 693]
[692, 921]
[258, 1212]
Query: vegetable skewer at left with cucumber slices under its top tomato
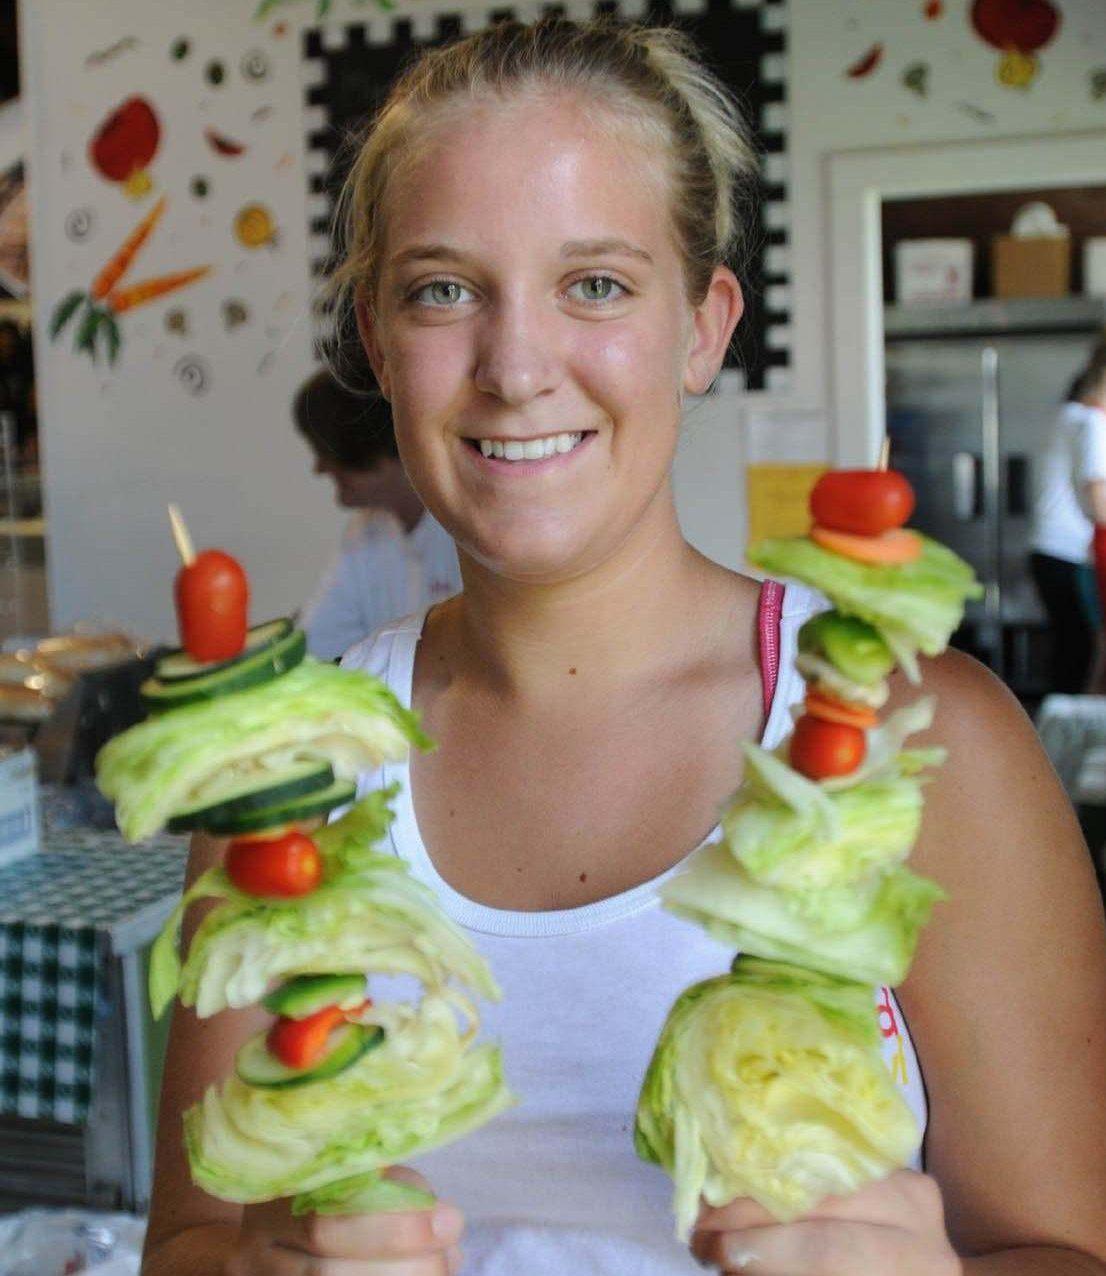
[251, 738]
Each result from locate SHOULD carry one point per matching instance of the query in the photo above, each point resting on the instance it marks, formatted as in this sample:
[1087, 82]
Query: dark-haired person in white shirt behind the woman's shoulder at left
[395, 557]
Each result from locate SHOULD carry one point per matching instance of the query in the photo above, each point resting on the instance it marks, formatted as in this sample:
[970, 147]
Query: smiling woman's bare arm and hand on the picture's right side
[1007, 1007]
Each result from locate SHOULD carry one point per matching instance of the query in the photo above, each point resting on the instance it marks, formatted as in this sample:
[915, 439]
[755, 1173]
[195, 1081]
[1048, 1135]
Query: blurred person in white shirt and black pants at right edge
[1068, 535]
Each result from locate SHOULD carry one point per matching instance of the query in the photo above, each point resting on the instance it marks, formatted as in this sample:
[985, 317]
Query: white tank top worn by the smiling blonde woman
[554, 1187]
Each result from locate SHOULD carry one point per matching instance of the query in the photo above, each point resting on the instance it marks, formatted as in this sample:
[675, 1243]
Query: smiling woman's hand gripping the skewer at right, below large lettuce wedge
[891, 1228]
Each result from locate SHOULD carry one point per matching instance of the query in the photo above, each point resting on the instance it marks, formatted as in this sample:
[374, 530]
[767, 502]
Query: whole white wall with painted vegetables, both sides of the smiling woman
[119, 446]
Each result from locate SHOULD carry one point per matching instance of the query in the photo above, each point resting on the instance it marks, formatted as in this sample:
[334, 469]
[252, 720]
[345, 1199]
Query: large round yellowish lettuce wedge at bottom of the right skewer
[770, 1083]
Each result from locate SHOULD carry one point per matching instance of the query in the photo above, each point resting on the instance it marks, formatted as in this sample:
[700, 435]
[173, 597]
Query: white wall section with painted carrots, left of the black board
[121, 443]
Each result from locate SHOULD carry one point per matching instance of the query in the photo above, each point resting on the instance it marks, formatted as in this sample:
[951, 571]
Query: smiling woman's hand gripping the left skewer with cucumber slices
[409, 1243]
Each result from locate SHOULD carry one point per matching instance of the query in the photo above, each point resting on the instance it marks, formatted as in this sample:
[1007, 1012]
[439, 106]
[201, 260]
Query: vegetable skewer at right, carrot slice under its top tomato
[770, 1083]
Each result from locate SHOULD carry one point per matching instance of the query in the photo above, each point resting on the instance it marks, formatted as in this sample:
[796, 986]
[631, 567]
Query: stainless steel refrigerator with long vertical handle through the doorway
[973, 392]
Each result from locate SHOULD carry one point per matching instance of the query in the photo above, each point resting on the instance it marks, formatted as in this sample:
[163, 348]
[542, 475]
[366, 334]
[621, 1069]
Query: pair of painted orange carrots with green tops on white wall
[105, 300]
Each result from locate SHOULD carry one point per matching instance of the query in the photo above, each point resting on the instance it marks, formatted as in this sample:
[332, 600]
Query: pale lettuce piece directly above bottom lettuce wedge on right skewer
[866, 933]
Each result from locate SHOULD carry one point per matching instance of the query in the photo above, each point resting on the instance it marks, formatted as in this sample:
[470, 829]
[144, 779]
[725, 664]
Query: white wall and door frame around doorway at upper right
[831, 113]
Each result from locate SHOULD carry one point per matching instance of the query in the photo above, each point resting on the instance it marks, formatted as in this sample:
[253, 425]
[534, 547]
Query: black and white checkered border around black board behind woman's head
[425, 25]
